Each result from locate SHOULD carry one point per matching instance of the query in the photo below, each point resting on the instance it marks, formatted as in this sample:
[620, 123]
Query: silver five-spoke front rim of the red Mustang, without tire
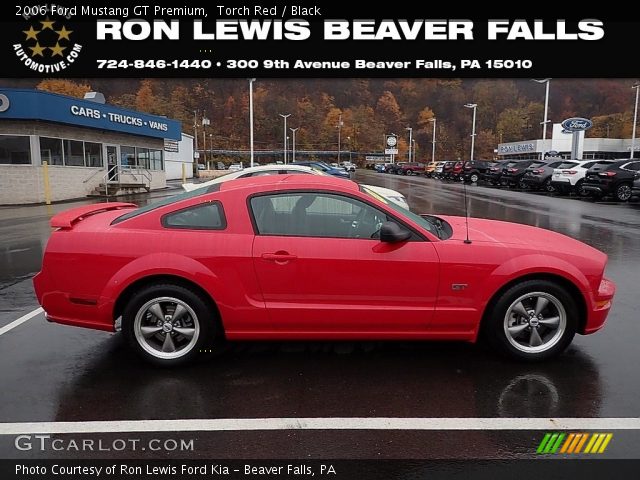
[535, 322]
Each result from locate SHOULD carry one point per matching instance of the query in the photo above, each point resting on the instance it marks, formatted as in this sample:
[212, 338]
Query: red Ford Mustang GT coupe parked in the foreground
[309, 257]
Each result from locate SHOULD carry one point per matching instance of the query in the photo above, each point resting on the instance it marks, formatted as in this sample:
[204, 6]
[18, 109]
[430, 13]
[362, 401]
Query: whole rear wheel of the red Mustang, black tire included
[200, 317]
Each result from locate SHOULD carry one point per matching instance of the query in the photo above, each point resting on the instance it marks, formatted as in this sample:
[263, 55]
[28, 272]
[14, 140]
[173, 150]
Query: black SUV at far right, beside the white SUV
[614, 178]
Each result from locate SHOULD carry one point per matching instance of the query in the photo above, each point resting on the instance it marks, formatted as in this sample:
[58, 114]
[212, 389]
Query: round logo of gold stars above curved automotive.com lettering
[47, 46]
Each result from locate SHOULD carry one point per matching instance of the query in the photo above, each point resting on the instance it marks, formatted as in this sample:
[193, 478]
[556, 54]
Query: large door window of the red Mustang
[316, 215]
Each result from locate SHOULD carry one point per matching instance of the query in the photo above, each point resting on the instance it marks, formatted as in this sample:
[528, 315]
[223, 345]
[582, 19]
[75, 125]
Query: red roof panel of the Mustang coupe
[292, 182]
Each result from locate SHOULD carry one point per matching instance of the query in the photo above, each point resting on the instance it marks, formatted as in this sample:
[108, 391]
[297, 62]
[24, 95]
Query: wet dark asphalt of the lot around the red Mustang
[53, 373]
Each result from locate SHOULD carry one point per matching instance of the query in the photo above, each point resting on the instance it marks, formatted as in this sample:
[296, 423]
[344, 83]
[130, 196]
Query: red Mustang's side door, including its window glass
[321, 272]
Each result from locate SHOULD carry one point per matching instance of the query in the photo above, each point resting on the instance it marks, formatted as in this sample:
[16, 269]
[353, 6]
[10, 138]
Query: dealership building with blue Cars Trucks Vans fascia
[54, 147]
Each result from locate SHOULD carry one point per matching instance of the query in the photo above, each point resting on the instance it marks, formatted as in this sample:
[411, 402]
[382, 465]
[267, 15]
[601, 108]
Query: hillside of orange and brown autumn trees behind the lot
[508, 110]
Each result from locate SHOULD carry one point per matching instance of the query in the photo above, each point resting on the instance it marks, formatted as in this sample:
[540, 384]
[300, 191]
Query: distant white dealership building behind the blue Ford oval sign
[560, 145]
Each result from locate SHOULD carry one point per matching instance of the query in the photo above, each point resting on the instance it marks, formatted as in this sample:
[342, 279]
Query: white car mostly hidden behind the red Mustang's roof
[290, 169]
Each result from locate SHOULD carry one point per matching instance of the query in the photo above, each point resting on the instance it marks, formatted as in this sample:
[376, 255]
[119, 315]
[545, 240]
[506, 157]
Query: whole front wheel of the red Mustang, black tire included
[500, 315]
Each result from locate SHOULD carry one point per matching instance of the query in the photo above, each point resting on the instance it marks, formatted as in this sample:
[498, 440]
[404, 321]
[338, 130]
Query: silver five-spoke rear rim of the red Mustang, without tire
[166, 327]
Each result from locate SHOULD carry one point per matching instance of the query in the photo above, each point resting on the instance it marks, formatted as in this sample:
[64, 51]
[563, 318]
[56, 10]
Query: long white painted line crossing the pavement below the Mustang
[349, 423]
